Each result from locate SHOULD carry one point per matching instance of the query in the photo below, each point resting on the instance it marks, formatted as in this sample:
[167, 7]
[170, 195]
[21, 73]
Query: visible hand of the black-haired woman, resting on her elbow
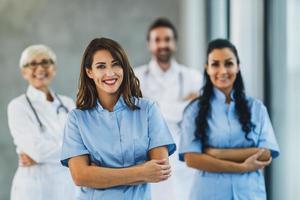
[252, 163]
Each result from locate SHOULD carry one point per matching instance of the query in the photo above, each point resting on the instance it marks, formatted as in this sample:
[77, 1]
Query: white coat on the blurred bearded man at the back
[167, 89]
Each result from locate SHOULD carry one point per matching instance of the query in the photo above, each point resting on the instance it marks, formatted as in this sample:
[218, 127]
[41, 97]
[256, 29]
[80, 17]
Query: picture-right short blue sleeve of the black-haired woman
[267, 137]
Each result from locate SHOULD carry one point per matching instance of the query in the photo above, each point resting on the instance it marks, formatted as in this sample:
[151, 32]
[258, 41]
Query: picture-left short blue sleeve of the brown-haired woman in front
[72, 143]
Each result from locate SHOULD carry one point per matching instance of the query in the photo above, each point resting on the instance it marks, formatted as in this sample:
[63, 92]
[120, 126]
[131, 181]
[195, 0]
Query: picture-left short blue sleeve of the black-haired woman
[188, 140]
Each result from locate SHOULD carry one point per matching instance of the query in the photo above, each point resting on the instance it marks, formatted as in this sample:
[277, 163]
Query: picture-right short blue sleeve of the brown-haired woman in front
[158, 130]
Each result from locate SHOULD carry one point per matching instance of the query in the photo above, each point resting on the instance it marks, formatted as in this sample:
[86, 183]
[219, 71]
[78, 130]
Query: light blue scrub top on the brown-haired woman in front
[117, 139]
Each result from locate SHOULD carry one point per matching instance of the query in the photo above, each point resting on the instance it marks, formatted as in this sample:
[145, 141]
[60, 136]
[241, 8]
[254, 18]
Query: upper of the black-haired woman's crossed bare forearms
[238, 154]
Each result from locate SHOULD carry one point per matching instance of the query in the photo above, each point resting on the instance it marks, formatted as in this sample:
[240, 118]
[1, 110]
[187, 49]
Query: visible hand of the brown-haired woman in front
[156, 170]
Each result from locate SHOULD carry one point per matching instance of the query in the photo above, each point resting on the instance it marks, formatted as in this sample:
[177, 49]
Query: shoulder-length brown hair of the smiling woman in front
[87, 93]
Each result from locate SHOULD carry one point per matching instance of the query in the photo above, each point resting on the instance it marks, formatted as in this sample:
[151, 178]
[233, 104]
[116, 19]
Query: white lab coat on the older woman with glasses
[48, 180]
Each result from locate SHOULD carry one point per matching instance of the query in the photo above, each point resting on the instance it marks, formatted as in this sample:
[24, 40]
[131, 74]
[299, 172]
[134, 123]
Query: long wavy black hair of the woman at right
[241, 104]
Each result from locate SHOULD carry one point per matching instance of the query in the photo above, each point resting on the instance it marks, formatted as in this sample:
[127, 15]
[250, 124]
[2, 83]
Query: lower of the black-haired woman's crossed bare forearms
[208, 163]
